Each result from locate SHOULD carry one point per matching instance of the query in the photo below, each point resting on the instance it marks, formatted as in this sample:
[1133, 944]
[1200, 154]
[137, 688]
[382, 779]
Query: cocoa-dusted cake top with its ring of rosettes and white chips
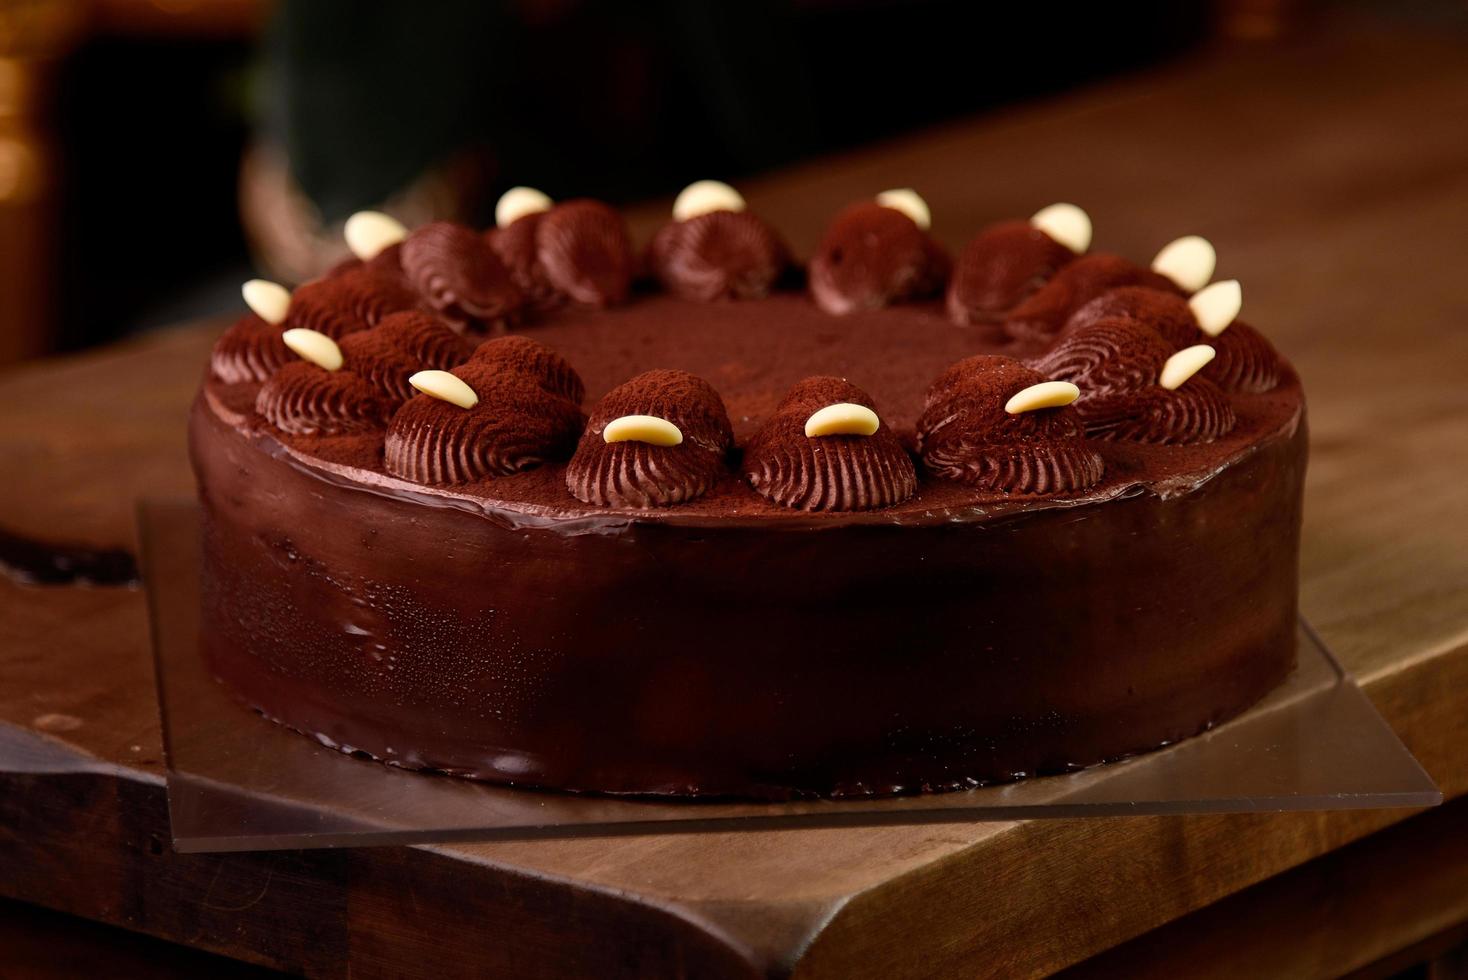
[393, 373]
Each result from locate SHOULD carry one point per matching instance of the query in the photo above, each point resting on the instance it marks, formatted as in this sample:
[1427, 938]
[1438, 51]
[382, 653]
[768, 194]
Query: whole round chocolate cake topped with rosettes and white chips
[535, 507]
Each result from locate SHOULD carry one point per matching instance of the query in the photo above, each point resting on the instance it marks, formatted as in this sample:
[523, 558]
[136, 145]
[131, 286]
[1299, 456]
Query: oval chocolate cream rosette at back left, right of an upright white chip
[462, 278]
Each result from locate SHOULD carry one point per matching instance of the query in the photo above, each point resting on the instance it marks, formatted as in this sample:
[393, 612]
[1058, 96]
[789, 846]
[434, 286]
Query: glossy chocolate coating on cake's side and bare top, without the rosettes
[727, 646]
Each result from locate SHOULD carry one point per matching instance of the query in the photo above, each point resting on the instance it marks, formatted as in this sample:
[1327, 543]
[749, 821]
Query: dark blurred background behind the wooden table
[155, 153]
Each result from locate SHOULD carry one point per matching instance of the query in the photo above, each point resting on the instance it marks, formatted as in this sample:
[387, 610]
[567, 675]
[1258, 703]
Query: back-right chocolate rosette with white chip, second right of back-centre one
[1009, 262]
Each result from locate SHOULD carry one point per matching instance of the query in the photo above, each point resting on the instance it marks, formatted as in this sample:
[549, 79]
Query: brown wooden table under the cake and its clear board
[1334, 178]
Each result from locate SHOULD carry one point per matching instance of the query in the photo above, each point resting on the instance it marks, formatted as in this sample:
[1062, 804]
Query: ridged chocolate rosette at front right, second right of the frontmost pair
[1135, 387]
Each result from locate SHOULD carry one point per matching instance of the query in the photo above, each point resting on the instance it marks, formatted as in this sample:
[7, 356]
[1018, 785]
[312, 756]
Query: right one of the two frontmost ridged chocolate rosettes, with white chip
[827, 450]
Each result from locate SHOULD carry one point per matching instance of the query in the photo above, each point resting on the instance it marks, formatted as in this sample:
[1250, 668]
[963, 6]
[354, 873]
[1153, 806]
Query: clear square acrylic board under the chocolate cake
[240, 783]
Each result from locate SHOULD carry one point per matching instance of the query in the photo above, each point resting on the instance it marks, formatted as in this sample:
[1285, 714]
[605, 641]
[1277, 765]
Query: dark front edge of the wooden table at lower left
[387, 912]
